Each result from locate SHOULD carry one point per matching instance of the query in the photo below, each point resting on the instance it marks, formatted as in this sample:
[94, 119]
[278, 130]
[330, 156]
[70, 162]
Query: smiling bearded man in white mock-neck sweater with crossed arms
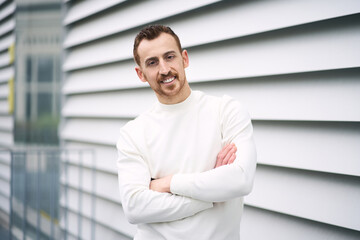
[186, 163]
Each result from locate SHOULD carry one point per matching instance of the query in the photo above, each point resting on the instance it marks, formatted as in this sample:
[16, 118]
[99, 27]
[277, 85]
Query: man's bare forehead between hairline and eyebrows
[156, 47]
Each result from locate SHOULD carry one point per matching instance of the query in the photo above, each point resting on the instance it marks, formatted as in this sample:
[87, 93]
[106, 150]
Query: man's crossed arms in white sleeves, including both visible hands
[183, 195]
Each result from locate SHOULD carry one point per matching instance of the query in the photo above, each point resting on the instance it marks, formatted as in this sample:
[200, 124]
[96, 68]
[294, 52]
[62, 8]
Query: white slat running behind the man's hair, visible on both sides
[239, 19]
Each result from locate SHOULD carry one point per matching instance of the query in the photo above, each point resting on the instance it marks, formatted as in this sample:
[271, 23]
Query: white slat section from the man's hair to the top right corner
[242, 18]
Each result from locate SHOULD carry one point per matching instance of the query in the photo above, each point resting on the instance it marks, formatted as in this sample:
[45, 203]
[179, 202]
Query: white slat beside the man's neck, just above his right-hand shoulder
[320, 96]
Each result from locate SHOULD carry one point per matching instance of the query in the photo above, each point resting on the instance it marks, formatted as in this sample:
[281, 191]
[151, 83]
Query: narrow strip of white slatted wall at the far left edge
[7, 41]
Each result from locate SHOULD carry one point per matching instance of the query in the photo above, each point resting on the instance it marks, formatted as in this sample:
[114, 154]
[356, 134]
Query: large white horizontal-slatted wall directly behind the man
[296, 66]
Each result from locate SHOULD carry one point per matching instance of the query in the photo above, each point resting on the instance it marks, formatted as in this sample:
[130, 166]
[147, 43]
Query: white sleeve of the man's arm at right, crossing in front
[229, 181]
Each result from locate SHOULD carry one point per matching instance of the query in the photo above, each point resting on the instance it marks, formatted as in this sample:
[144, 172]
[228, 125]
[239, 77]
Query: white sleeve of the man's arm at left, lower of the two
[140, 204]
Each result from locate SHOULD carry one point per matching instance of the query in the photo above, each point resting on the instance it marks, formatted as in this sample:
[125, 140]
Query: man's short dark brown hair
[149, 33]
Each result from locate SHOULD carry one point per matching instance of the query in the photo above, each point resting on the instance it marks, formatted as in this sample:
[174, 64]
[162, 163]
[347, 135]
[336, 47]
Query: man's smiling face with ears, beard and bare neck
[162, 65]
